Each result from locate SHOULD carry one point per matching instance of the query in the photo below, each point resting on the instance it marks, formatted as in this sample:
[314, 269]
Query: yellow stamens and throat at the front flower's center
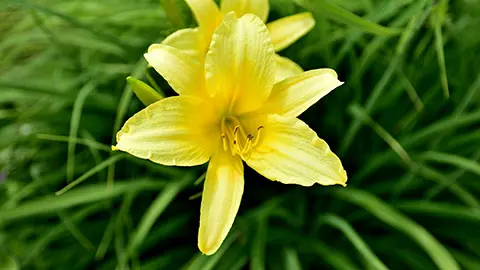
[235, 138]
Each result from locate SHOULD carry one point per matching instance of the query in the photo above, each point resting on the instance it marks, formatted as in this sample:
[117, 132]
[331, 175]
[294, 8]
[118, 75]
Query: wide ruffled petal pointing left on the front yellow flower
[171, 132]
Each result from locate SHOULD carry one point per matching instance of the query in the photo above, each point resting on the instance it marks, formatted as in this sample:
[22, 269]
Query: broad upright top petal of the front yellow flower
[240, 64]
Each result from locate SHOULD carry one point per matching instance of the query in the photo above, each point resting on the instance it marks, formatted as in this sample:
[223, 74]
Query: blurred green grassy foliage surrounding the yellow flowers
[405, 124]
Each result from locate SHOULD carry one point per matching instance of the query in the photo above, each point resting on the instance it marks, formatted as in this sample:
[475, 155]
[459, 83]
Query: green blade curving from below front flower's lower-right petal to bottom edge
[439, 254]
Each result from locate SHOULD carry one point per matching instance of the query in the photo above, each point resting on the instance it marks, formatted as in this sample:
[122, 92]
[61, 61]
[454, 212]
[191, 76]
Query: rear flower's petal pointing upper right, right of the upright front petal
[286, 31]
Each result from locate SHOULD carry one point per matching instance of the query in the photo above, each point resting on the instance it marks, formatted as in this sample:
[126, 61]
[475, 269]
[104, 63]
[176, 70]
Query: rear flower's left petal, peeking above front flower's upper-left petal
[188, 40]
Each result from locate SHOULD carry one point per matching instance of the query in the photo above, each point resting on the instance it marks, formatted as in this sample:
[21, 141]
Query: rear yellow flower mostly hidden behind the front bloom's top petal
[285, 31]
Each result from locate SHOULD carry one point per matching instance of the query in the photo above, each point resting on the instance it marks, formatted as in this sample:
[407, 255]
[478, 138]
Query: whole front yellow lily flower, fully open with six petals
[231, 110]
